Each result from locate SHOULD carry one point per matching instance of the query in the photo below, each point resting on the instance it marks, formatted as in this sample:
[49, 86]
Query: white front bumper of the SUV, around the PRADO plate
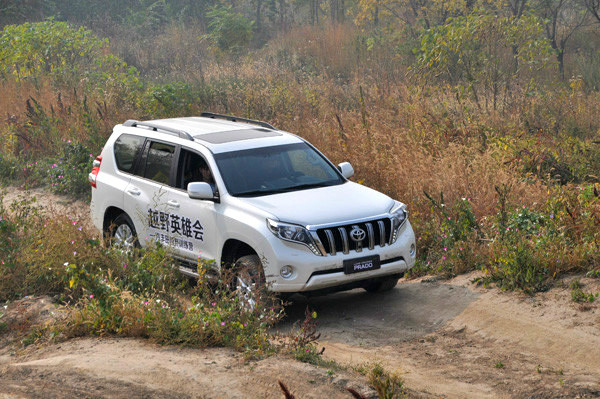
[312, 272]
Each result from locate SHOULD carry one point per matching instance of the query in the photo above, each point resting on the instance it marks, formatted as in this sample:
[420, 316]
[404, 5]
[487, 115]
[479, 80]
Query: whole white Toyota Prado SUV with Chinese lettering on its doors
[247, 195]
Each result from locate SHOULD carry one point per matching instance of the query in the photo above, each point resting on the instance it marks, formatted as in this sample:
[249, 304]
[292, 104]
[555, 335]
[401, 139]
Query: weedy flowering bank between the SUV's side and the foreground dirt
[108, 292]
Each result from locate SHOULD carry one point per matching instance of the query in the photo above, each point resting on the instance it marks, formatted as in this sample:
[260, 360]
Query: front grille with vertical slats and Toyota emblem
[338, 238]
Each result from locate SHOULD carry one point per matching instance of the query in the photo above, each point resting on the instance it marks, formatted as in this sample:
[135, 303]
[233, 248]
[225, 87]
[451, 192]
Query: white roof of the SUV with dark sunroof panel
[219, 135]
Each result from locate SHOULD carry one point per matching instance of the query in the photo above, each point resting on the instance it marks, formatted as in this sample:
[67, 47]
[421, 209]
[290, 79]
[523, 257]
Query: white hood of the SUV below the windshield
[333, 204]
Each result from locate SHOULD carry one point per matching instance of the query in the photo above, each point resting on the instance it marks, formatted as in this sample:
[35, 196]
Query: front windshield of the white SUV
[277, 169]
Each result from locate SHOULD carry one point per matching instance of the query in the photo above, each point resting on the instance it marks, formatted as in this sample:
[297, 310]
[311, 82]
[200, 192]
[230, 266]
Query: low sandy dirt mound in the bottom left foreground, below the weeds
[119, 368]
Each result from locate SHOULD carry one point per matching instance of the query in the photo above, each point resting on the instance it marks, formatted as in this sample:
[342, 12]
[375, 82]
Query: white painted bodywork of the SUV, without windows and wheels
[217, 227]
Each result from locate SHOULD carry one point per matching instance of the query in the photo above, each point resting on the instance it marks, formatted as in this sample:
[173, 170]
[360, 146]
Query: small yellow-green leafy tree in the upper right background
[483, 54]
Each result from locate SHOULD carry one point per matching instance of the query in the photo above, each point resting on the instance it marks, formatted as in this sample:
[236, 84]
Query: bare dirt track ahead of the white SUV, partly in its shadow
[459, 341]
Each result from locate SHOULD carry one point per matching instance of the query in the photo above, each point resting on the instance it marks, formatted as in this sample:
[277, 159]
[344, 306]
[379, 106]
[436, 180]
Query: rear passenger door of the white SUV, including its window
[146, 196]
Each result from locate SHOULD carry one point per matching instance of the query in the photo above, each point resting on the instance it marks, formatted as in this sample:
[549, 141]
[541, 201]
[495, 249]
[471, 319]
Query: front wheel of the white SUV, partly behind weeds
[249, 280]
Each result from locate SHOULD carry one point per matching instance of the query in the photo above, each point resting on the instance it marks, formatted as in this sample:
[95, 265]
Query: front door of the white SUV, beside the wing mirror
[193, 222]
